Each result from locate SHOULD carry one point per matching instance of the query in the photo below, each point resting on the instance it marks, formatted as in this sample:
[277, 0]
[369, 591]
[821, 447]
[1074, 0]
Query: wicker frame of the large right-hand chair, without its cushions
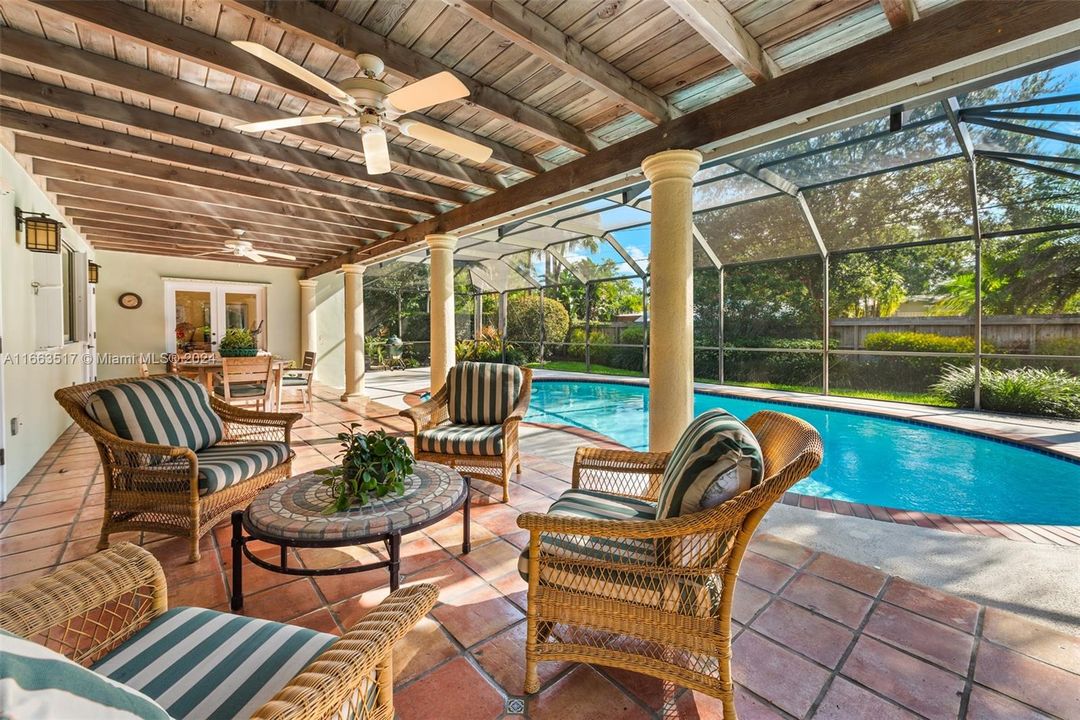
[668, 612]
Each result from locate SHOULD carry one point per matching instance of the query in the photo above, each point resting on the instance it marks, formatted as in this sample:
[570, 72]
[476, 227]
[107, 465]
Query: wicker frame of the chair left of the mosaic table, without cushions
[155, 488]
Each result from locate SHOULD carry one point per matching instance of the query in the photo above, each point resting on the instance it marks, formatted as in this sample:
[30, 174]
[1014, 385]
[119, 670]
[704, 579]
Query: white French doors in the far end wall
[198, 314]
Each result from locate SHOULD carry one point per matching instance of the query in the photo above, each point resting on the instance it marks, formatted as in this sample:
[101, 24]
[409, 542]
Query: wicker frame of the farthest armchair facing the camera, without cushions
[494, 468]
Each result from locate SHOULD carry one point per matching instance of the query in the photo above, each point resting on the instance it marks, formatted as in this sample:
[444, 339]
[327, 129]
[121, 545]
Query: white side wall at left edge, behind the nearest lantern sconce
[28, 389]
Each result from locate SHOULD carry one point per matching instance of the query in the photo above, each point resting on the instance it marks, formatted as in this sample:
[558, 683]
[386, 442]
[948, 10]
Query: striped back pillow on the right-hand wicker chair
[715, 459]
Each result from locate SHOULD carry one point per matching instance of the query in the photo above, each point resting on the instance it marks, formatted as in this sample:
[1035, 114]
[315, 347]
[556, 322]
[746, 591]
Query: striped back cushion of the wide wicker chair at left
[166, 411]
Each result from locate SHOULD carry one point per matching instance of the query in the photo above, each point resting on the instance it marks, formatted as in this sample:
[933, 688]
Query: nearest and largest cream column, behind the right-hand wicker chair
[671, 300]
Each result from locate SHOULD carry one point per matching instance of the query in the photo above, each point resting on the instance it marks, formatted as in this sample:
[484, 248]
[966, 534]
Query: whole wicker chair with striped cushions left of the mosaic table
[186, 461]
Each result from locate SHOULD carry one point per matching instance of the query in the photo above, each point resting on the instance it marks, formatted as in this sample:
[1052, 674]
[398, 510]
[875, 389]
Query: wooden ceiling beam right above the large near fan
[342, 36]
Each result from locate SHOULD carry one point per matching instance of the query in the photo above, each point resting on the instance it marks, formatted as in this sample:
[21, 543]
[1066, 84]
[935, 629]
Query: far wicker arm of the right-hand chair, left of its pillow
[620, 472]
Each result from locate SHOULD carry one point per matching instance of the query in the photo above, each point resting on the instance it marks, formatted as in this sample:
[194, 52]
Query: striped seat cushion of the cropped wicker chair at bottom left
[206, 664]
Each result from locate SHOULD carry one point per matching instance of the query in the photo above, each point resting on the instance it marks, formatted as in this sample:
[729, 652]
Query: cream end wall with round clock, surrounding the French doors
[123, 332]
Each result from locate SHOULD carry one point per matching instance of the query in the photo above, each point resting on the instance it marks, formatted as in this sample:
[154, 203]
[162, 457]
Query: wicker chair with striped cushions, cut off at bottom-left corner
[109, 613]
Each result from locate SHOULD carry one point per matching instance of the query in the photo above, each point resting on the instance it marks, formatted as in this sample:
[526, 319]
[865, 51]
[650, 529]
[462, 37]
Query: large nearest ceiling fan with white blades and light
[375, 104]
